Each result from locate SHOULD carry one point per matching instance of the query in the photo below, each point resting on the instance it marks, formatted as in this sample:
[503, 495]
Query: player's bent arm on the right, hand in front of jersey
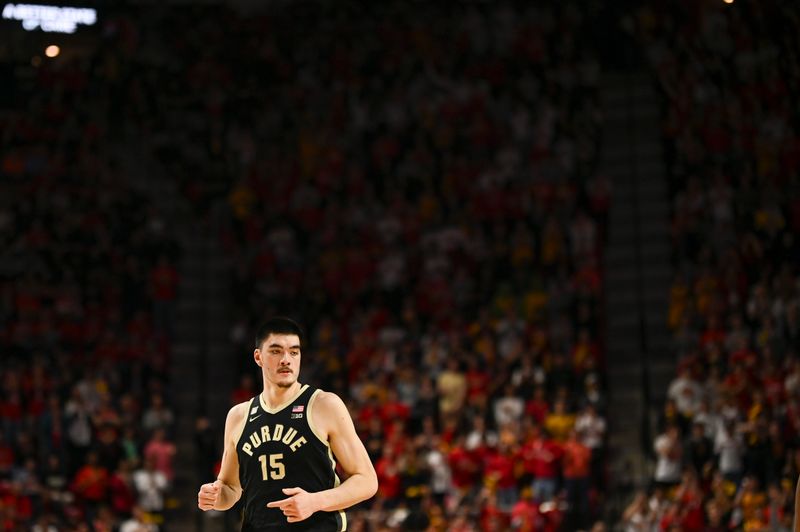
[362, 482]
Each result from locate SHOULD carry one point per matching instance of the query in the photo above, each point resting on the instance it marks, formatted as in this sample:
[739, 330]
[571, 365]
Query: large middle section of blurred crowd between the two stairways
[419, 186]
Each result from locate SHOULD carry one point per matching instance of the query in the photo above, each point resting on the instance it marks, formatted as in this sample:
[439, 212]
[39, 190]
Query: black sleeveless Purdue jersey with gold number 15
[279, 449]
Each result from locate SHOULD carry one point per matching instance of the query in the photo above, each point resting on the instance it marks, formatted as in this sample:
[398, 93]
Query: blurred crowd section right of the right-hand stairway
[728, 449]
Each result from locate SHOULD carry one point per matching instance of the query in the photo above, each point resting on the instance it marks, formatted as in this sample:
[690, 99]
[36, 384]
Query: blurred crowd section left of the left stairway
[87, 283]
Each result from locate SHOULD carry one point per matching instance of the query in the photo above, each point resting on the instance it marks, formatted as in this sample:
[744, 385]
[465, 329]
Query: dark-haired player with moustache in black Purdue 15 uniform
[279, 448]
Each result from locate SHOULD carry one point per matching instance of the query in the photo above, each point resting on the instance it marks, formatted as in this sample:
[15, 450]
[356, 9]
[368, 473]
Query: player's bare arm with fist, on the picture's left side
[226, 490]
